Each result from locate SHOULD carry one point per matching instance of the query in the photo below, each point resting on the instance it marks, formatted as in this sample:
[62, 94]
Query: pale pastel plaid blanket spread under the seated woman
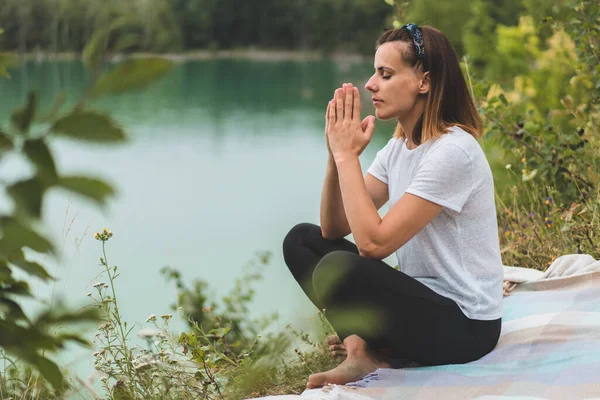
[549, 347]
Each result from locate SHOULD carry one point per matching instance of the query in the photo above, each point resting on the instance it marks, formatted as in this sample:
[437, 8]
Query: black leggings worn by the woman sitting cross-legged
[387, 308]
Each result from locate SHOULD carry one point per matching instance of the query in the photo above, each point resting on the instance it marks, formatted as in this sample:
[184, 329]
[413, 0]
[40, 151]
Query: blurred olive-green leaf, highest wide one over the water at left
[130, 75]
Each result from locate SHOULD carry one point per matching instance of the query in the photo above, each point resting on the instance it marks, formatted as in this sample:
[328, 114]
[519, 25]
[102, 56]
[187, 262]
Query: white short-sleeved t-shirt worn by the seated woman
[458, 253]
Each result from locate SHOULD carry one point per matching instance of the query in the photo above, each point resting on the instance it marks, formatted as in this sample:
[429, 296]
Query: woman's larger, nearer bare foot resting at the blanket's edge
[353, 368]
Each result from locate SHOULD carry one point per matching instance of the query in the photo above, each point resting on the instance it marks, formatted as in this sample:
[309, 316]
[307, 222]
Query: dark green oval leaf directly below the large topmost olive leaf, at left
[89, 125]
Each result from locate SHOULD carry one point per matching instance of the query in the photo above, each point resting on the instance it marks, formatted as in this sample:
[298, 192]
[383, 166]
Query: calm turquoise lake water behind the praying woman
[223, 158]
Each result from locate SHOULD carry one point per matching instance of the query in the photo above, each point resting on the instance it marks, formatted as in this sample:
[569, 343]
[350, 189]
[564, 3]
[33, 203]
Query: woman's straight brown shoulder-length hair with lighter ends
[449, 102]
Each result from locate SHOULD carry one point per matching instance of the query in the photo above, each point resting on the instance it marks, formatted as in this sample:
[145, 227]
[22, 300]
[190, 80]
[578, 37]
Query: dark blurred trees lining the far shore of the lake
[176, 25]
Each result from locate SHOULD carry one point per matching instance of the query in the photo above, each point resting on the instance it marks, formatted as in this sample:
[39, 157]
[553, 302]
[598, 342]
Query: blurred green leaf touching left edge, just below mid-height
[15, 235]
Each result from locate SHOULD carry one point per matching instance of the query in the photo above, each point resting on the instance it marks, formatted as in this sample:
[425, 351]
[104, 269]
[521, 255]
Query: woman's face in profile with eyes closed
[395, 86]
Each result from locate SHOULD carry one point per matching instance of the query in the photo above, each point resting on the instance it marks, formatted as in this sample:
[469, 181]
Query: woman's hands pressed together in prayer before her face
[346, 135]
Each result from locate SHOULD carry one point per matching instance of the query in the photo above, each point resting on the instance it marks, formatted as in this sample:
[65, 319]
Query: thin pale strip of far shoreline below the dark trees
[196, 55]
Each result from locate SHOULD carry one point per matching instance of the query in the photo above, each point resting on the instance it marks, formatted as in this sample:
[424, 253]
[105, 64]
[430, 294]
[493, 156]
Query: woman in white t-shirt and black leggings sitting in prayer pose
[444, 304]
